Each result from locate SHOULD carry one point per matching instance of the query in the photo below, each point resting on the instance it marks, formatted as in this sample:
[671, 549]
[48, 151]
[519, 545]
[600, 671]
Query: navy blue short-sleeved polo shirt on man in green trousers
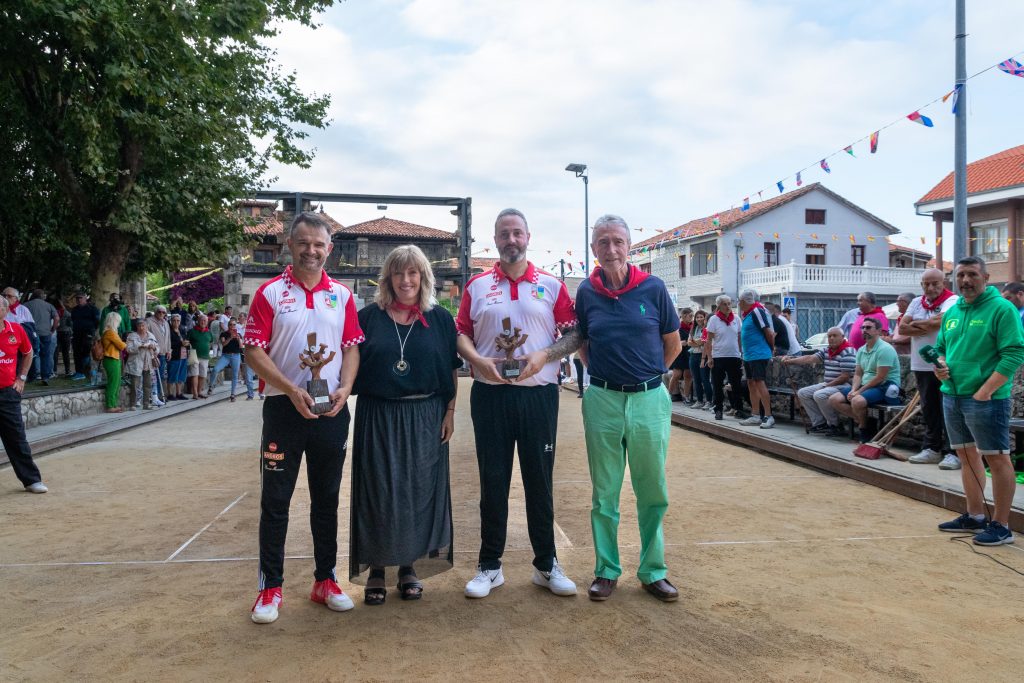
[625, 330]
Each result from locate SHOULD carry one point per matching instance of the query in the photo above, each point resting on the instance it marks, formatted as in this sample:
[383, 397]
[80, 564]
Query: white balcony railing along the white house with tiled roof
[831, 279]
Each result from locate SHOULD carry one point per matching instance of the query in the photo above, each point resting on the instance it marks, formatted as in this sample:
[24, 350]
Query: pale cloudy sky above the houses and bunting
[680, 109]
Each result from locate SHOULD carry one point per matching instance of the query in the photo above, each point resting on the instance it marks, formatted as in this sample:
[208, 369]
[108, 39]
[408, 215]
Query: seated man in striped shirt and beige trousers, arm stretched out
[840, 361]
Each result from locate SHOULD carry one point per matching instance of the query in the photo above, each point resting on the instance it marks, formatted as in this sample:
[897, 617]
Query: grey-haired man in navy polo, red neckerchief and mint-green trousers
[631, 334]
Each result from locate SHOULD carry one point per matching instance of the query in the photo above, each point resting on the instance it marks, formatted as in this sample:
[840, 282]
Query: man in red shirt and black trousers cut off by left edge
[13, 378]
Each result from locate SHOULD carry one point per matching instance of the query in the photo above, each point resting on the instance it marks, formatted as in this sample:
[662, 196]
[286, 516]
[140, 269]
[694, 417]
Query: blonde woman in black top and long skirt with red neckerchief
[405, 416]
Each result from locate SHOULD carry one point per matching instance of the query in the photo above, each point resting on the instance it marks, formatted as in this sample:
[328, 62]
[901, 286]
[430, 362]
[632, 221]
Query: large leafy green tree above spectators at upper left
[138, 121]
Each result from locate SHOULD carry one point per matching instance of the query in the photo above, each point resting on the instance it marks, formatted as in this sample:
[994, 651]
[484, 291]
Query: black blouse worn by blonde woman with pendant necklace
[431, 354]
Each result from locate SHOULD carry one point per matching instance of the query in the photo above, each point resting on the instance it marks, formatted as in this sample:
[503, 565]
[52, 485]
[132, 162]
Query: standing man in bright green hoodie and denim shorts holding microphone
[980, 348]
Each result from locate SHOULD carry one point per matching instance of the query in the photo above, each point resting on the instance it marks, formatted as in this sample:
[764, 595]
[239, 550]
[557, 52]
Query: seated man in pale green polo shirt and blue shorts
[876, 379]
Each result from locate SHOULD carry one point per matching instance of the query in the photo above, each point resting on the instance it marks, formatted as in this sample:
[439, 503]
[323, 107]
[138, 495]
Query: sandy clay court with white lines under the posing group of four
[141, 566]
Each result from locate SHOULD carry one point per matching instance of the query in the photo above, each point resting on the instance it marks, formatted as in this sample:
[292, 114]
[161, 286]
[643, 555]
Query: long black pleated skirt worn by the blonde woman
[402, 501]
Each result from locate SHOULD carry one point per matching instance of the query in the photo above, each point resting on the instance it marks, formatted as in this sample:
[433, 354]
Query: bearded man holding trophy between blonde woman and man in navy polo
[515, 416]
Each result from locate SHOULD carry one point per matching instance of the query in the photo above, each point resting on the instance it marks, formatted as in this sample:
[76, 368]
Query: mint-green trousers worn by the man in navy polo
[630, 429]
